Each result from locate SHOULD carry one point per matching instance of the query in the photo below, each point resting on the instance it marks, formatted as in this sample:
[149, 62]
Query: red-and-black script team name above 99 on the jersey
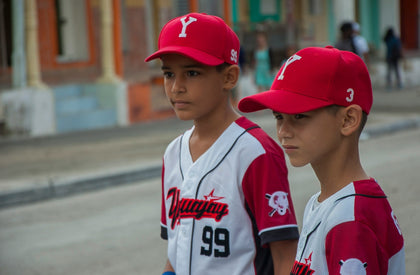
[194, 208]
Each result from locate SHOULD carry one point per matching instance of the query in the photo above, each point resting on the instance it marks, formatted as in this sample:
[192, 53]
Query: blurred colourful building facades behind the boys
[75, 65]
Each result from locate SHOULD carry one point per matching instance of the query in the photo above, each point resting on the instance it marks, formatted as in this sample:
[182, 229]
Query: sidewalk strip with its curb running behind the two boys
[34, 169]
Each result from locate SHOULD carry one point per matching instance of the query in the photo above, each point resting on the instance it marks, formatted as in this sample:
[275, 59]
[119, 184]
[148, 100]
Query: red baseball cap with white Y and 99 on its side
[204, 38]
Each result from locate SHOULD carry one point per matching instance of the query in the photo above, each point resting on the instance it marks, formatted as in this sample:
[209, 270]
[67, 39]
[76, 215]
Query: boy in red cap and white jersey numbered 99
[226, 204]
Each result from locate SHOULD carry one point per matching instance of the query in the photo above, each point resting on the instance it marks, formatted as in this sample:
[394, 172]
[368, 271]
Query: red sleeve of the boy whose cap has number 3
[354, 246]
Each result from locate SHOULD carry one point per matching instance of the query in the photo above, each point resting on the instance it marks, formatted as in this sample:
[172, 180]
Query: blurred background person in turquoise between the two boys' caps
[263, 63]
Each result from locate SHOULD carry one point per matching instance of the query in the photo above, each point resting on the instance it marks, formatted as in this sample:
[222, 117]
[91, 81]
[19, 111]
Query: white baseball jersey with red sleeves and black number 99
[220, 212]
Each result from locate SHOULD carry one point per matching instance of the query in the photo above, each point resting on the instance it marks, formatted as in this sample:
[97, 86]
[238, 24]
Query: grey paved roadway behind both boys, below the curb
[116, 230]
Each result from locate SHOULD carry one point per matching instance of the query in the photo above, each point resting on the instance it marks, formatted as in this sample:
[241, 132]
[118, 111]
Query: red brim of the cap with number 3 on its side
[281, 101]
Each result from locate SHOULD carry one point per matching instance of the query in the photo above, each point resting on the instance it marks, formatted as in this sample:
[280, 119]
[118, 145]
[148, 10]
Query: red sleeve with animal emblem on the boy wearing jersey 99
[268, 198]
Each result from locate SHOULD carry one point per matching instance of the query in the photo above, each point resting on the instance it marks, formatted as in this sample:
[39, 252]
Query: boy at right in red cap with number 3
[321, 98]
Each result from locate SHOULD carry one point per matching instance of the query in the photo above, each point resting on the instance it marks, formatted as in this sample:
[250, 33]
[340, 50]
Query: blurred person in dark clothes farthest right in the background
[393, 56]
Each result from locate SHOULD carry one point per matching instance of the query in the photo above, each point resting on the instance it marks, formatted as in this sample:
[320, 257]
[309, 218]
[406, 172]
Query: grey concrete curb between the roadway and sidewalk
[53, 189]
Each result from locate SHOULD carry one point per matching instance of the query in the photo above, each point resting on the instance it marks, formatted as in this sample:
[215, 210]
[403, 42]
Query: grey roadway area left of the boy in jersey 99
[114, 231]
